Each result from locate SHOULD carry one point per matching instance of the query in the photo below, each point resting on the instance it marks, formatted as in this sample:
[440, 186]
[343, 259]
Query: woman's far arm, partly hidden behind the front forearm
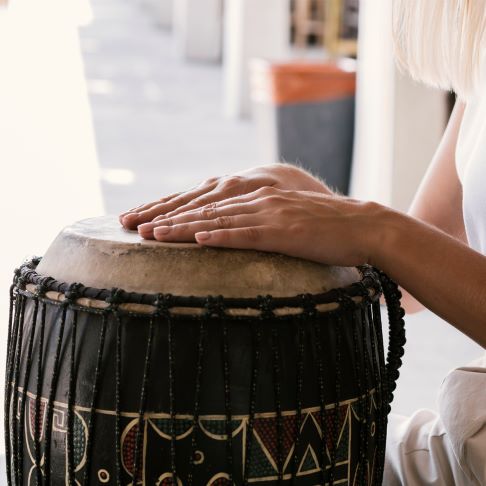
[438, 200]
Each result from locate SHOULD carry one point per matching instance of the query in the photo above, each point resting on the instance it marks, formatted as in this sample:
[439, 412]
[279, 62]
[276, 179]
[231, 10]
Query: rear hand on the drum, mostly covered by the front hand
[280, 176]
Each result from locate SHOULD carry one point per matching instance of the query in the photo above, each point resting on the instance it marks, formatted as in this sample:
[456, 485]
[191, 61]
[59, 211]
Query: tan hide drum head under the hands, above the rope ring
[100, 253]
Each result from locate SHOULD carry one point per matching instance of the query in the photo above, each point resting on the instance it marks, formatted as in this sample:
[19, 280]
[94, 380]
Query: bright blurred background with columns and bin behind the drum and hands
[105, 104]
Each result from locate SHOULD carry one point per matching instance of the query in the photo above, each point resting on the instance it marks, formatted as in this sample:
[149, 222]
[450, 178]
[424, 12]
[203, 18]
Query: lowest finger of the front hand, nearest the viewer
[251, 237]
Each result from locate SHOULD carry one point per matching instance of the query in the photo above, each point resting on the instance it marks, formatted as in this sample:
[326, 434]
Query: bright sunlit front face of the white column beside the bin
[371, 177]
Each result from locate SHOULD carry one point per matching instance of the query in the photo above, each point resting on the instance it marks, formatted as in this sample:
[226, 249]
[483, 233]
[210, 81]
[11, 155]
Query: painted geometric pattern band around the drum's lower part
[263, 465]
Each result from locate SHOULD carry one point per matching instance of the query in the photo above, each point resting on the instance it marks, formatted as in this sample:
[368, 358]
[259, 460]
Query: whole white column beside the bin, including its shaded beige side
[399, 123]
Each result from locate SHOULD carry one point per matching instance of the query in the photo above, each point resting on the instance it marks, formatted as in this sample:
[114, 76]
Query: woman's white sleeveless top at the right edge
[471, 167]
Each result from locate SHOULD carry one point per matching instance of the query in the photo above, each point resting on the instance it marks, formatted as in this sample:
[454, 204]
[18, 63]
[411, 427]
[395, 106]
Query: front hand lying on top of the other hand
[319, 227]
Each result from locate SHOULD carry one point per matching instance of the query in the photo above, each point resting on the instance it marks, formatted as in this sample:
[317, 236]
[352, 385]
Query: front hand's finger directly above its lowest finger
[186, 231]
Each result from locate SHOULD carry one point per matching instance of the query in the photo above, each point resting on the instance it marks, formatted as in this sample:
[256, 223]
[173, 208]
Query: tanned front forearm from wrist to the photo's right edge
[445, 275]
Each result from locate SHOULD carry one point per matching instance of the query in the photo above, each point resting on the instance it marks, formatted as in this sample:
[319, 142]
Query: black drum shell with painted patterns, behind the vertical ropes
[291, 350]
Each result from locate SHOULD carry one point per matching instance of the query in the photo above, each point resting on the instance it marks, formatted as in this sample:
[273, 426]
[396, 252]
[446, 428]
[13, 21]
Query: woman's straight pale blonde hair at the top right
[441, 42]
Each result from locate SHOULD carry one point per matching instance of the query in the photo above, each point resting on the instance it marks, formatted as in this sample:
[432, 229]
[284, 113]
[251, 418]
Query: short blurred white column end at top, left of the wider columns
[198, 29]
